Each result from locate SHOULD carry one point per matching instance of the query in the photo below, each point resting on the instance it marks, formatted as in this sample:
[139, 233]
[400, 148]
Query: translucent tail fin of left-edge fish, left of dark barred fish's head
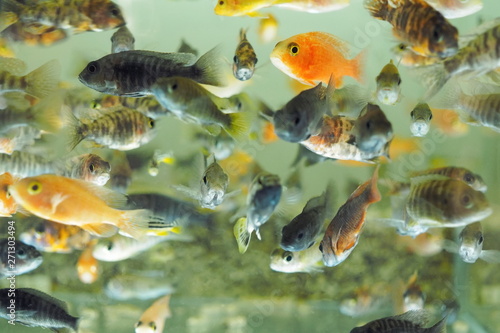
[43, 80]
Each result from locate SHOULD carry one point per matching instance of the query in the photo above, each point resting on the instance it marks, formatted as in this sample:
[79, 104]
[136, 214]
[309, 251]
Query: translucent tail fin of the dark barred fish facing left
[211, 66]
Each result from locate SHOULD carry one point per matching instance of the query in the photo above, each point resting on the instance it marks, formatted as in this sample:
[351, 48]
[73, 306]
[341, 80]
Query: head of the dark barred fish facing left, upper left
[98, 75]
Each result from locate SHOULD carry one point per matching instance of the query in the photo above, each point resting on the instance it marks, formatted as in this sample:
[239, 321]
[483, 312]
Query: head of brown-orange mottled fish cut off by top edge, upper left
[105, 15]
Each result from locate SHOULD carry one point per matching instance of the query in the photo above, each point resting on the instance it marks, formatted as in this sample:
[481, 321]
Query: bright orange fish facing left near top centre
[312, 57]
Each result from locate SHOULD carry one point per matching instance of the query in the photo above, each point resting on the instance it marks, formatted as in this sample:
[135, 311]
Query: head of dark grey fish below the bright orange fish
[291, 125]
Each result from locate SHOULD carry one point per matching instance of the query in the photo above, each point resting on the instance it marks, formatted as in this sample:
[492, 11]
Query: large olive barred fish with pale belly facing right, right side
[438, 202]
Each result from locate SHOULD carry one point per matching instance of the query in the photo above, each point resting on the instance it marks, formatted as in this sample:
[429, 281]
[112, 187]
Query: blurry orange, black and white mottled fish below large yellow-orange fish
[50, 236]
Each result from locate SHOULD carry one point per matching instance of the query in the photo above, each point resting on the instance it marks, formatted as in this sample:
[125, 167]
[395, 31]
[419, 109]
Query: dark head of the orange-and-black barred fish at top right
[441, 38]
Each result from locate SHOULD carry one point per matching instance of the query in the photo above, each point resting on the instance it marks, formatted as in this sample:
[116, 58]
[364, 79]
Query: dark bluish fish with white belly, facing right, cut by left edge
[18, 258]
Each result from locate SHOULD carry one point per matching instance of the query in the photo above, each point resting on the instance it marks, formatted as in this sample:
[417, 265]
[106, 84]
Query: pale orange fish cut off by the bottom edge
[153, 319]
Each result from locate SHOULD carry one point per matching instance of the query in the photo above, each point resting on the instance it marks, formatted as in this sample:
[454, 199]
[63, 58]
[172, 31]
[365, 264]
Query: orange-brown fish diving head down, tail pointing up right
[342, 234]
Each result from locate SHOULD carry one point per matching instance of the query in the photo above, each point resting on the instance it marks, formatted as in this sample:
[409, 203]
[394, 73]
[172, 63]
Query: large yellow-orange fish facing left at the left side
[76, 202]
